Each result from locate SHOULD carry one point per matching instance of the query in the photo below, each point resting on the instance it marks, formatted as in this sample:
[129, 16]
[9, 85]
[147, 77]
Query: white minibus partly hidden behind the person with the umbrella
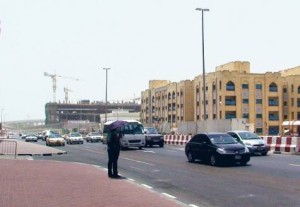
[133, 134]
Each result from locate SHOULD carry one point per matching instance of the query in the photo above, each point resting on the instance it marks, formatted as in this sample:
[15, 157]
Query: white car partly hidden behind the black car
[251, 140]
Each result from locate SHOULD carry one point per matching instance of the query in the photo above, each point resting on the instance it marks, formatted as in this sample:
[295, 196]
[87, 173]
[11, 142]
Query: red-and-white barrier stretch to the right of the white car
[283, 144]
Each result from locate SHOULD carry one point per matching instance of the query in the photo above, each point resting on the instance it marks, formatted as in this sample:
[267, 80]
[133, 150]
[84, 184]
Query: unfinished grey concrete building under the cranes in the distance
[84, 110]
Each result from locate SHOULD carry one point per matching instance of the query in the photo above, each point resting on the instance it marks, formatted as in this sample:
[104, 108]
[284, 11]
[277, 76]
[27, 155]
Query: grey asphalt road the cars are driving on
[272, 180]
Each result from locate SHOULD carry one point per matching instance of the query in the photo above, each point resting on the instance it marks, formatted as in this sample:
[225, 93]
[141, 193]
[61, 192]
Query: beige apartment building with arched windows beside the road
[265, 100]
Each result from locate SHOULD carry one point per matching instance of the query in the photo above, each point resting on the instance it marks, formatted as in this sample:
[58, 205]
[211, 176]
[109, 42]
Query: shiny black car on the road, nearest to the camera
[216, 149]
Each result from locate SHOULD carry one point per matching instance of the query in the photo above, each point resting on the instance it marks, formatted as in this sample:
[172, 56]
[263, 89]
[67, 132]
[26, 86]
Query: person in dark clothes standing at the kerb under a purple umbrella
[113, 147]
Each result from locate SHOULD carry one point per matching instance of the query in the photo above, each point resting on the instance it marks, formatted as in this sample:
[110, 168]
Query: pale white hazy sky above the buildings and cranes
[140, 40]
